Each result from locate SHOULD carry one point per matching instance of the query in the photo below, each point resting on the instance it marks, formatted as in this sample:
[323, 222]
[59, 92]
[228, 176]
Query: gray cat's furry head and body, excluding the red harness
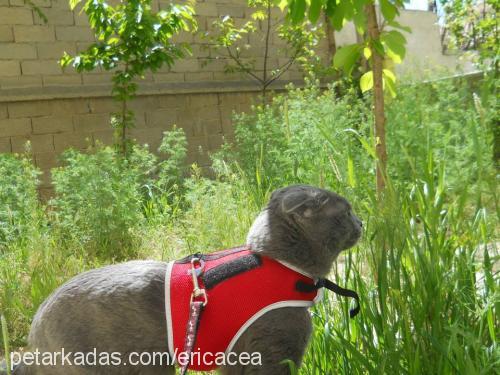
[121, 308]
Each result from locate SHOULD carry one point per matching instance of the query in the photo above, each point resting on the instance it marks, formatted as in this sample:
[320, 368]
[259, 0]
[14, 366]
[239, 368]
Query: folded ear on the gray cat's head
[304, 202]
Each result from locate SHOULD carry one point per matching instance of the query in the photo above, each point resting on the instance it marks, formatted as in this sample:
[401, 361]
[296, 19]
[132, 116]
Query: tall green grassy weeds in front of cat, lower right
[430, 294]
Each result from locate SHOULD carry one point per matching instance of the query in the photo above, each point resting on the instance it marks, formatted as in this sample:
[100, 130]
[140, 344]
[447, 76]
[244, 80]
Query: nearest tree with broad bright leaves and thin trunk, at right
[381, 41]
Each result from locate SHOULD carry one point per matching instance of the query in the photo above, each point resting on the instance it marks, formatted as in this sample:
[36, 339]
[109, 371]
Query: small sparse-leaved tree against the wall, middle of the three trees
[229, 43]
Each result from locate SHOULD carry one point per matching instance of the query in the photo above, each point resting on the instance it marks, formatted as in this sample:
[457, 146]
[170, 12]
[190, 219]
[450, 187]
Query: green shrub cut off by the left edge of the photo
[19, 208]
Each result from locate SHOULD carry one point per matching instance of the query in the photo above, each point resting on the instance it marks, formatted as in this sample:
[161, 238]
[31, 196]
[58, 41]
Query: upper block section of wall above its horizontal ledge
[29, 48]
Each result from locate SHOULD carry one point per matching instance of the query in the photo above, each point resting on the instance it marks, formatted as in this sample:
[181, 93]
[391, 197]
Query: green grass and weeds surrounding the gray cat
[426, 268]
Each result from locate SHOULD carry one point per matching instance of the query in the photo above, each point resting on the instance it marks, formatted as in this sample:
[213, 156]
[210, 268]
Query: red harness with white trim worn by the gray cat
[241, 286]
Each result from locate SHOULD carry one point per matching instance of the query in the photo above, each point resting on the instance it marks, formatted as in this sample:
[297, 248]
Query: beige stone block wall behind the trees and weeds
[57, 109]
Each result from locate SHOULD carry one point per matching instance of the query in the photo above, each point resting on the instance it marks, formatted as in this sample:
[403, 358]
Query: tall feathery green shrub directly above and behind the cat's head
[304, 136]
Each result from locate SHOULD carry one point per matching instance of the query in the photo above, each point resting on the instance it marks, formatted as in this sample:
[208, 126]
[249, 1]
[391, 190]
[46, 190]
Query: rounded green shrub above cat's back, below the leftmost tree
[98, 199]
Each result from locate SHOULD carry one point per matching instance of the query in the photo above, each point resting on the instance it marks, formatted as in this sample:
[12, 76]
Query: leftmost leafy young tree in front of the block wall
[130, 39]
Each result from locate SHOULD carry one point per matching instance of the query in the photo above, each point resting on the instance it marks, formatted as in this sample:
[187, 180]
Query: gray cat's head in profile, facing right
[305, 226]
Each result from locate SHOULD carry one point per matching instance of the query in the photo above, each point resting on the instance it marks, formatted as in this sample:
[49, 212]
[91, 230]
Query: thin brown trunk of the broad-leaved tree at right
[378, 98]
